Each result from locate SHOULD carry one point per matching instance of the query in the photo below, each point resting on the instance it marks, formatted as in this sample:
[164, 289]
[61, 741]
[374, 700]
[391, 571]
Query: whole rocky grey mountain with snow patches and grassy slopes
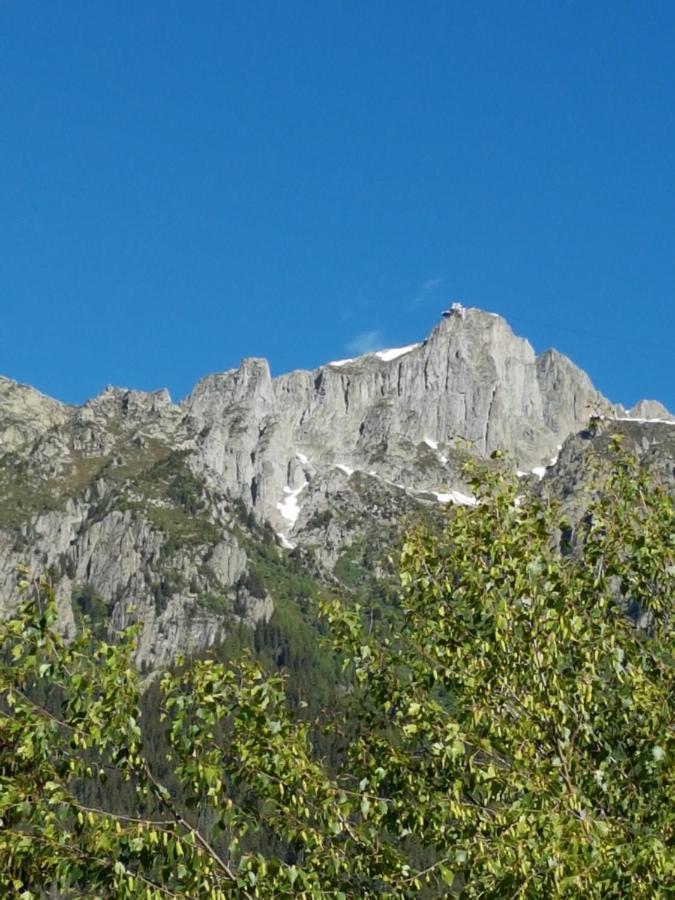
[256, 492]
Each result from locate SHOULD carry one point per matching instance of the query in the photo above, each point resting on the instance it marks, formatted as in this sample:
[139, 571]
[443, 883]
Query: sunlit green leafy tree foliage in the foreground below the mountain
[510, 734]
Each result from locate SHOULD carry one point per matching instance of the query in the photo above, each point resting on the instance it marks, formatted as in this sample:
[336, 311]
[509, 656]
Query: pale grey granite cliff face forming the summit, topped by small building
[471, 381]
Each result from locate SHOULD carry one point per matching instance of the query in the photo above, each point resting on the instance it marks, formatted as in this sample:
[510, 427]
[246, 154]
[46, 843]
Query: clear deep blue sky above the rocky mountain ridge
[183, 184]
